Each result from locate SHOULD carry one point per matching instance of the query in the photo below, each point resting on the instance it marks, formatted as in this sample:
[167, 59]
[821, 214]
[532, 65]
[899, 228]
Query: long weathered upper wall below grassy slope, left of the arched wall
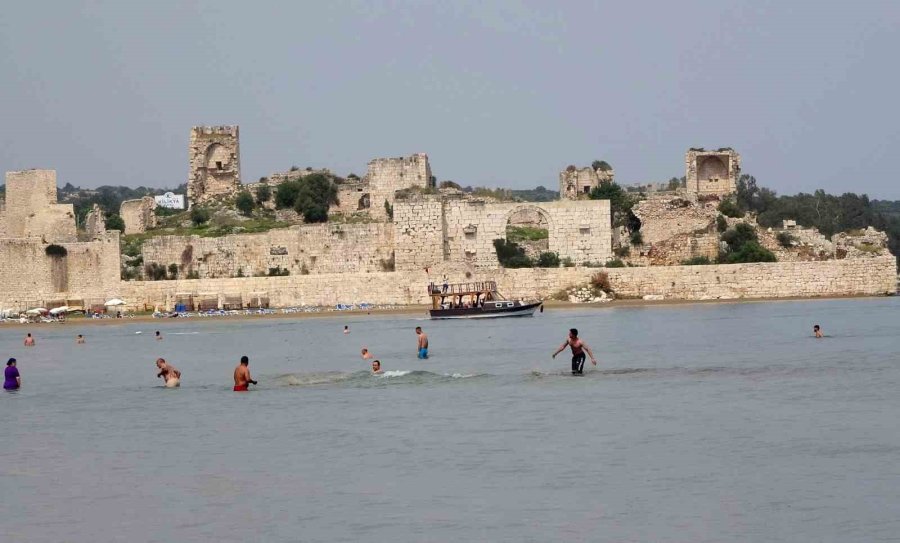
[312, 249]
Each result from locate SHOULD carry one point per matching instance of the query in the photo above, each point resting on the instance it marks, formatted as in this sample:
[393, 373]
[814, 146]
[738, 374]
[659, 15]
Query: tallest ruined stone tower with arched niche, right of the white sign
[215, 163]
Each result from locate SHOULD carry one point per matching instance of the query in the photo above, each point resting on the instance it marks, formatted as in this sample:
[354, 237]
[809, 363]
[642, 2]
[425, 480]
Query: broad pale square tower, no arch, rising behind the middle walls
[385, 176]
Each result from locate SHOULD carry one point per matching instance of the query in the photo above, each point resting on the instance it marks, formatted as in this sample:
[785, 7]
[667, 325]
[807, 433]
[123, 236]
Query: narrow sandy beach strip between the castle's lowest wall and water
[422, 310]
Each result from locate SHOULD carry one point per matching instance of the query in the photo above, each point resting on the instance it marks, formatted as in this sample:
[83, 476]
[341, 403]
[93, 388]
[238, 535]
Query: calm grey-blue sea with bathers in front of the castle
[724, 422]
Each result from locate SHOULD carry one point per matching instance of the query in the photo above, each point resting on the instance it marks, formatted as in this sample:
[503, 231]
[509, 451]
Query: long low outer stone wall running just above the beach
[862, 277]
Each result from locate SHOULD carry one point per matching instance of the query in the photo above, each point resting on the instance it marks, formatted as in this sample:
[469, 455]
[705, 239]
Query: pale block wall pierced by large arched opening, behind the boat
[577, 230]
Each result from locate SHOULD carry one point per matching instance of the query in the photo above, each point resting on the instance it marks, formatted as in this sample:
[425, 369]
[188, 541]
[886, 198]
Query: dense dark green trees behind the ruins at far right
[826, 212]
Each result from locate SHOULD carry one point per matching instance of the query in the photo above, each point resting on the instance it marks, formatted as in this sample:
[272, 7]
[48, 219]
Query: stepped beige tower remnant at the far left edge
[32, 210]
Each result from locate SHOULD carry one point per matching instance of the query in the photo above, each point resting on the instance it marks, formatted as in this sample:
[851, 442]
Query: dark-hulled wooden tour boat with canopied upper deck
[477, 300]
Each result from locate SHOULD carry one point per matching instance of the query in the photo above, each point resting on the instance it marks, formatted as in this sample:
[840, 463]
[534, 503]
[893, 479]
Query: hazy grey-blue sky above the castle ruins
[497, 93]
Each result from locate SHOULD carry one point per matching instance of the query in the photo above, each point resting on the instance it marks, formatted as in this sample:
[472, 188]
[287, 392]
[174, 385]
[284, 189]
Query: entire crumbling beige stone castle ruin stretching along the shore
[405, 233]
